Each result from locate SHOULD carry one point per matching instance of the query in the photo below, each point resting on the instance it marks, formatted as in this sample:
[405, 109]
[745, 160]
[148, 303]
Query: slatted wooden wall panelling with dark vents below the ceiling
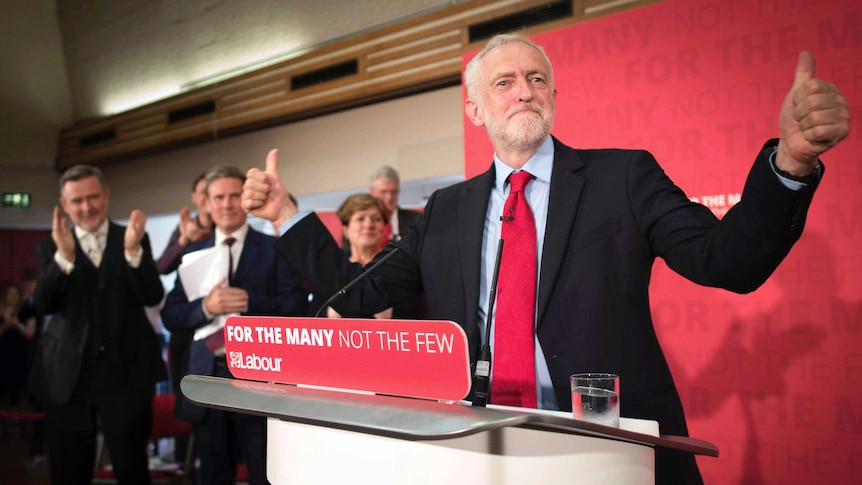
[405, 58]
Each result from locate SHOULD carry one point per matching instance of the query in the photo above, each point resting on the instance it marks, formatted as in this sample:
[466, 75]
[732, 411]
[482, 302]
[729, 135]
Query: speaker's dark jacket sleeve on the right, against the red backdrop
[742, 250]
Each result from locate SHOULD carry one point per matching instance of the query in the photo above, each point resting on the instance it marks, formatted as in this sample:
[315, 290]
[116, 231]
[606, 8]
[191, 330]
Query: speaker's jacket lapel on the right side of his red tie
[566, 189]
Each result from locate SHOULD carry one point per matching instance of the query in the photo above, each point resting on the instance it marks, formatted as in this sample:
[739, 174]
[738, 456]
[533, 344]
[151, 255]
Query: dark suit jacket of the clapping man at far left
[101, 318]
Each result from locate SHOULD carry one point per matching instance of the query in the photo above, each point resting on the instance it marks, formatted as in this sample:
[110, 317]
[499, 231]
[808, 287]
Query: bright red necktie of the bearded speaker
[514, 372]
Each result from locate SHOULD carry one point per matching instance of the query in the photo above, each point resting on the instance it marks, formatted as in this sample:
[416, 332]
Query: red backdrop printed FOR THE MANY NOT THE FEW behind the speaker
[774, 378]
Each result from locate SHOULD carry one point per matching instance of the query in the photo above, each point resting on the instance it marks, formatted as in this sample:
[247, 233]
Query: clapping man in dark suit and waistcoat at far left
[99, 358]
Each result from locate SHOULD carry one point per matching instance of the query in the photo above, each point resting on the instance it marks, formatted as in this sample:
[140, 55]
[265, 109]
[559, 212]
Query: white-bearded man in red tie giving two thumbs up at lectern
[601, 217]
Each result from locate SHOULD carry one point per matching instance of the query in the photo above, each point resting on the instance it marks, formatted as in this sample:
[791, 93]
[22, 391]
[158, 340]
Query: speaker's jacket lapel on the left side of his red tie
[472, 209]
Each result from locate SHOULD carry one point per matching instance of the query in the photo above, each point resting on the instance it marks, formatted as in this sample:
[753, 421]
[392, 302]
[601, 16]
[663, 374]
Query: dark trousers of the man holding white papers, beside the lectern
[214, 437]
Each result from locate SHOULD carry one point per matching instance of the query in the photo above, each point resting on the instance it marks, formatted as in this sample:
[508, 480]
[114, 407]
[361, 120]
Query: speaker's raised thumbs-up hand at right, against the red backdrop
[814, 118]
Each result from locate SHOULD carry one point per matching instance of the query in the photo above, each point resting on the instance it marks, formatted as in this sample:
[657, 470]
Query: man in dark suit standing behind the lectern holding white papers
[255, 282]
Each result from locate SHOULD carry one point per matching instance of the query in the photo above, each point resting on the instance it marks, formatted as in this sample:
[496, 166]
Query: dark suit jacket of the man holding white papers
[273, 290]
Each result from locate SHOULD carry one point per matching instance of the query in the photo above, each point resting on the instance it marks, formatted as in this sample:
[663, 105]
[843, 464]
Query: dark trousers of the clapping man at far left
[125, 420]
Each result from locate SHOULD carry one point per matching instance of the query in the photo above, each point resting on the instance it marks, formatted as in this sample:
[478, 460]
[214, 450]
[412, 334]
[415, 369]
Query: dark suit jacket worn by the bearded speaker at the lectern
[611, 213]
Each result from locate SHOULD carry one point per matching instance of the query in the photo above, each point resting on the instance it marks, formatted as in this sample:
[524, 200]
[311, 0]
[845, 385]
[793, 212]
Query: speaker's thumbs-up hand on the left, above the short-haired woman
[263, 194]
